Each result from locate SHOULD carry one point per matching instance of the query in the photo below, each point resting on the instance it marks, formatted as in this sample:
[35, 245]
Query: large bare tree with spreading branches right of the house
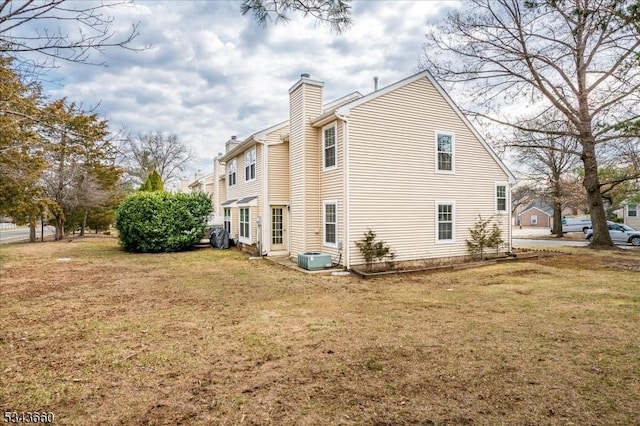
[576, 57]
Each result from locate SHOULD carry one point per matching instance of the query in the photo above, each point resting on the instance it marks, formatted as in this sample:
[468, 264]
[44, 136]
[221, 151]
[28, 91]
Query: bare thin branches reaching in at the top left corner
[36, 32]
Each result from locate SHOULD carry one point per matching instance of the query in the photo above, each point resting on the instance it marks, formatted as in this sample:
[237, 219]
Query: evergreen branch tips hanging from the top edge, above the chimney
[336, 13]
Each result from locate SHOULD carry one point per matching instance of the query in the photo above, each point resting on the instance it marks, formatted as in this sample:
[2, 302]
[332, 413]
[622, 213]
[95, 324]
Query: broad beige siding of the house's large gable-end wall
[392, 180]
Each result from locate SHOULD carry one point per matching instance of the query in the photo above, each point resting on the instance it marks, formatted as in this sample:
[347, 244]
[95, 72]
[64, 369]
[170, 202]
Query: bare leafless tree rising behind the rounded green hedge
[163, 152]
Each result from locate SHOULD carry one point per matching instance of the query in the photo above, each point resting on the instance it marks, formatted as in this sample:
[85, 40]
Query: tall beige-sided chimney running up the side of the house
[305, 225]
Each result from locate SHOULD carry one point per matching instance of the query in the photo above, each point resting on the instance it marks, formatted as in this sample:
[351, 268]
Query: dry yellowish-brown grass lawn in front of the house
[211, 337]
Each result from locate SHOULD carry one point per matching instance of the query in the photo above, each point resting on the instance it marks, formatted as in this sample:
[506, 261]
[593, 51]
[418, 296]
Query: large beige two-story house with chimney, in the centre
[402, 161]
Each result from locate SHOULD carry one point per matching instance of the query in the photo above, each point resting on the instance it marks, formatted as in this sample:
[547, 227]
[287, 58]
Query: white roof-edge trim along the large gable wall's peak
[345, 110]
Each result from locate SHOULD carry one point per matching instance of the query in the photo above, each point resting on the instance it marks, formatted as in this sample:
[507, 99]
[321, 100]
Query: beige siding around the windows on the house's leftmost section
[243, 189]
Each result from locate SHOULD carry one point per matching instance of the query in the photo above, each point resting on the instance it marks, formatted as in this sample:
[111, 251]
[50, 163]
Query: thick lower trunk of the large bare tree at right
[591, 183]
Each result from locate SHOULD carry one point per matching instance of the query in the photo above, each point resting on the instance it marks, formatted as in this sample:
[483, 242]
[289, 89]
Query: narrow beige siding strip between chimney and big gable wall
[332, 187]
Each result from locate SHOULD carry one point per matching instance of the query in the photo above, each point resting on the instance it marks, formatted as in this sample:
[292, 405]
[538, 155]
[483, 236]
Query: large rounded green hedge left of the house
[154, 222]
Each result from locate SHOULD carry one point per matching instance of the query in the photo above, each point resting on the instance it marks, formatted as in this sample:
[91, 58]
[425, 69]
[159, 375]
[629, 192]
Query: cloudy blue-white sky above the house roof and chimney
[211, 73]
